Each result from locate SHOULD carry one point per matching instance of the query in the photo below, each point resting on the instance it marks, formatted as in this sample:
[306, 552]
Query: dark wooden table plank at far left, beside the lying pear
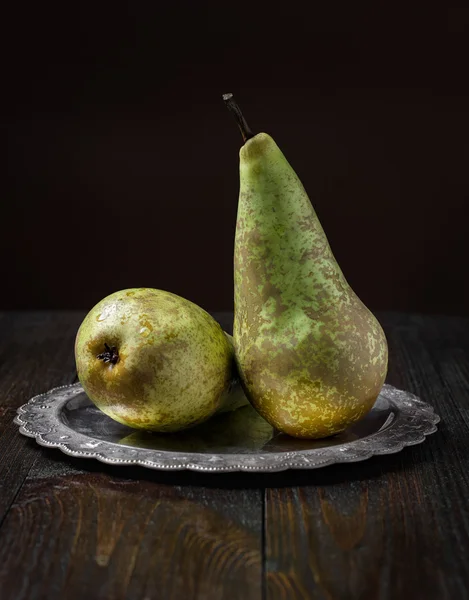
[36, 354]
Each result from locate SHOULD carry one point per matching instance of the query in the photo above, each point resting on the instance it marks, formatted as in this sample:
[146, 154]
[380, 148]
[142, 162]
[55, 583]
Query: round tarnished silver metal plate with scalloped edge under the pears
[238, 441]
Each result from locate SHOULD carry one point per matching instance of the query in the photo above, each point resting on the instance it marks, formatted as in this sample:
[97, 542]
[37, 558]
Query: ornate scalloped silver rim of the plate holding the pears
[409, 422]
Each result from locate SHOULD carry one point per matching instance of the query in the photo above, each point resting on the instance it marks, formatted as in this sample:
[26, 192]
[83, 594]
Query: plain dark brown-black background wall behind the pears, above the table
[123, 162]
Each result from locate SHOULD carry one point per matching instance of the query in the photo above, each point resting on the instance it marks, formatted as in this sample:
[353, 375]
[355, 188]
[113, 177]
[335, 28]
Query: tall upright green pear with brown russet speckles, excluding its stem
[311, 356]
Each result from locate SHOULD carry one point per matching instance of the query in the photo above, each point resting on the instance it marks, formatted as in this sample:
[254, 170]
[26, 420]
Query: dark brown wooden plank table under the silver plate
[387, 528]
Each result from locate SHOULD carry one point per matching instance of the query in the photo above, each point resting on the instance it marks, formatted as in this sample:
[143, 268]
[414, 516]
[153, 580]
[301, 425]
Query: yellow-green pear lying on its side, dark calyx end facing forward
[176, 365]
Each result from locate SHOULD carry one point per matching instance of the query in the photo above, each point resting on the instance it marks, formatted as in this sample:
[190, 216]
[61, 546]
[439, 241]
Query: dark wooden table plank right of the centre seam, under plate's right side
[386, 528]
